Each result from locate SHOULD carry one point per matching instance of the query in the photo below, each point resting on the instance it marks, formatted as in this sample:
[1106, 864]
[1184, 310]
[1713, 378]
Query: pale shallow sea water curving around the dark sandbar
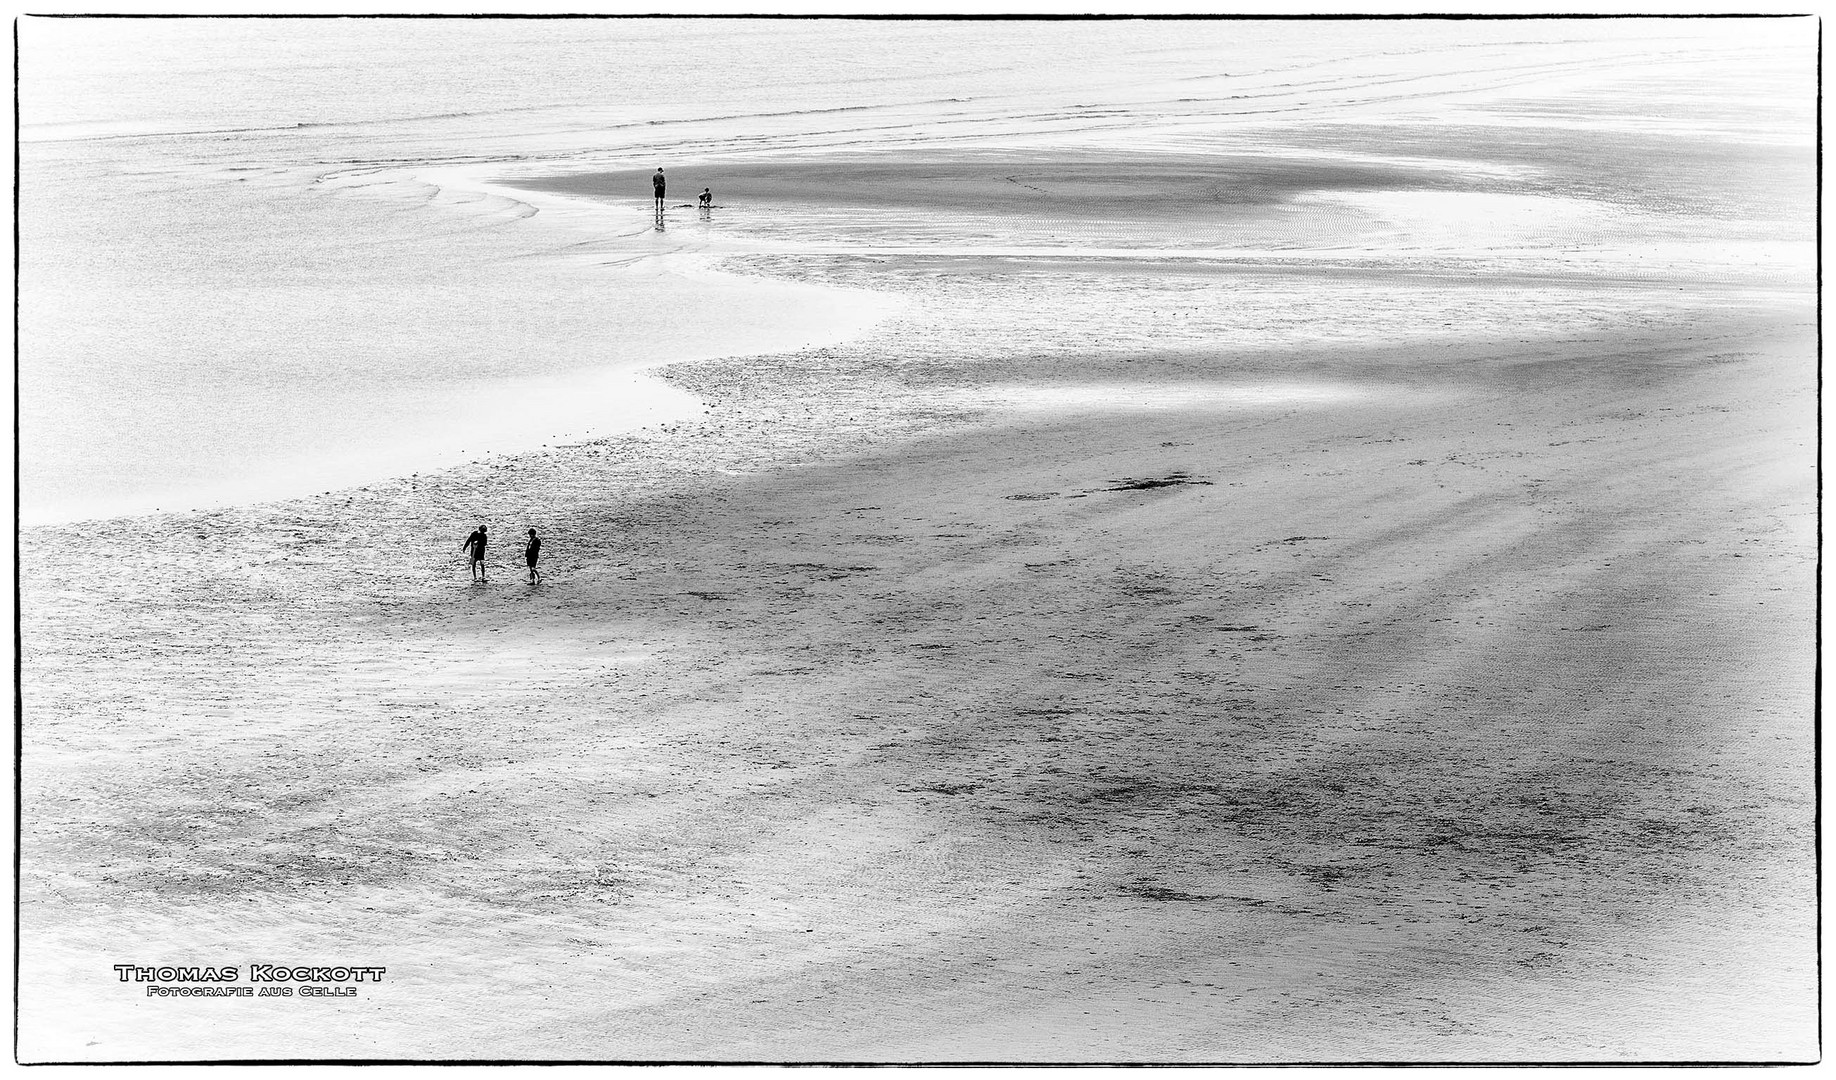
[260, 258]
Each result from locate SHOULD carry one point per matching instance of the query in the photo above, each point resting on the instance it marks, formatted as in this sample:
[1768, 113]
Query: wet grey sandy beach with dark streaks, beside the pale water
[1147, 646]
